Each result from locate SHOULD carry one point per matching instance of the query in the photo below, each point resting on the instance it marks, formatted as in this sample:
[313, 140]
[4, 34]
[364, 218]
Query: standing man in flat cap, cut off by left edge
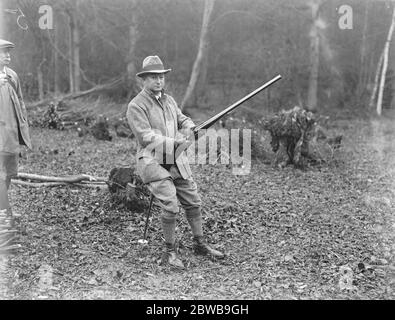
[14, 131]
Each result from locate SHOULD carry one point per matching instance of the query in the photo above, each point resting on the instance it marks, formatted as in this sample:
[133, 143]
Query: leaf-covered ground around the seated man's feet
[288, 234]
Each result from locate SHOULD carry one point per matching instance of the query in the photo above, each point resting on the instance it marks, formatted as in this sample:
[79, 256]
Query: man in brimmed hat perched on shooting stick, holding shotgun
[160, 127]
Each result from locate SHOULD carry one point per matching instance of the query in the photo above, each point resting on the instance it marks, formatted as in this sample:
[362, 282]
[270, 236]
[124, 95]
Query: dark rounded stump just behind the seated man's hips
[127, 189]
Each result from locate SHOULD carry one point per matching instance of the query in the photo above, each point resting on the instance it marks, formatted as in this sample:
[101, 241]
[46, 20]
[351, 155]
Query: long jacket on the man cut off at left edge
[14, 128]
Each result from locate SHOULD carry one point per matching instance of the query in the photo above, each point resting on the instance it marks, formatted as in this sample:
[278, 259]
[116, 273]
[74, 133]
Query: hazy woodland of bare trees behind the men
[245, 44]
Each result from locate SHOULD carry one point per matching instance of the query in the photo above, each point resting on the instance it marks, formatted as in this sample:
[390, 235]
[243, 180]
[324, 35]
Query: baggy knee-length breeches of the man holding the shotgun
[168, 191]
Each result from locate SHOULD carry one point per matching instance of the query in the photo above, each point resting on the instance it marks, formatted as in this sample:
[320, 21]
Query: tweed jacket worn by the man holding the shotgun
[155, 123]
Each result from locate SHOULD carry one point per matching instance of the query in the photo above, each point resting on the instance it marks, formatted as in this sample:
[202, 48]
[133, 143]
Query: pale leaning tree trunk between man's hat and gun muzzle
[203, 42]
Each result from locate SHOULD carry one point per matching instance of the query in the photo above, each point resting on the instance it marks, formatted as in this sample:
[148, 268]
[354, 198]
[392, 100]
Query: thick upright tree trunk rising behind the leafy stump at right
[314, 57]
